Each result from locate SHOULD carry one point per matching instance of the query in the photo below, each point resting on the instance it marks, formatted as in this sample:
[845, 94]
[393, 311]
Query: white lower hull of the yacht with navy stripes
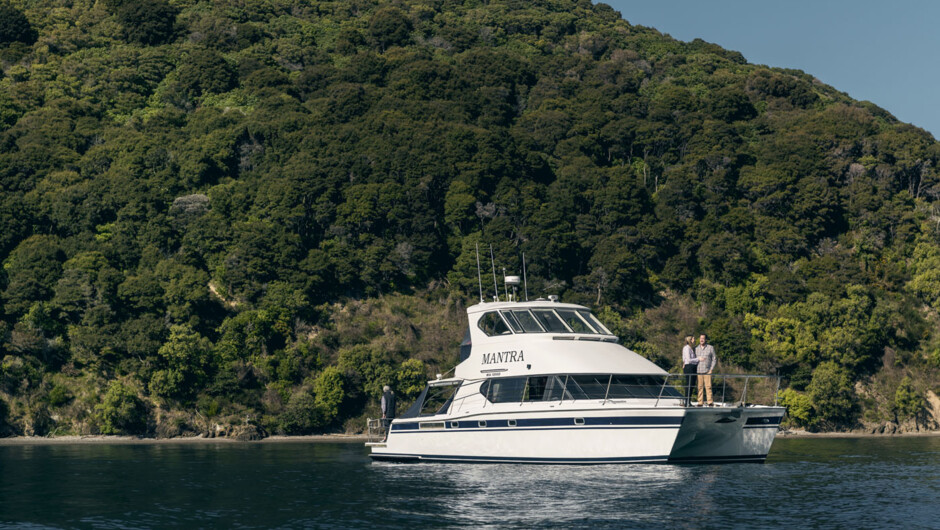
[600, 436]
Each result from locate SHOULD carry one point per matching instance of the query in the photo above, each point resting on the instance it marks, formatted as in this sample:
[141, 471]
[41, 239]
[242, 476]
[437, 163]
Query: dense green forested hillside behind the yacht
[233, 217]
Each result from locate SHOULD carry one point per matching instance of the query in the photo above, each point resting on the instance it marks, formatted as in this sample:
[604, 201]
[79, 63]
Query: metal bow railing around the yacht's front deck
[727, 389]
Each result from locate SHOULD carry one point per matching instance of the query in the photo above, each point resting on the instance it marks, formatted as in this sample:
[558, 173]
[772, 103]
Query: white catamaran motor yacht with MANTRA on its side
[547, 382]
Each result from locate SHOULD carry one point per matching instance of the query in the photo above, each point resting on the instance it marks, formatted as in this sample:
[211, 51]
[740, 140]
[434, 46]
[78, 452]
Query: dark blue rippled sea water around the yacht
[824, 483]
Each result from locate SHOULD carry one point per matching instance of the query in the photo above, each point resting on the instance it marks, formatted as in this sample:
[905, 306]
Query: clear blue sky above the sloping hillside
[886, 52]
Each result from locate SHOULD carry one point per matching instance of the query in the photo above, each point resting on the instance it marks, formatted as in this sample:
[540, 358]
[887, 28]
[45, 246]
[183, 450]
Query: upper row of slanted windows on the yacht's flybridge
[541, 320]
